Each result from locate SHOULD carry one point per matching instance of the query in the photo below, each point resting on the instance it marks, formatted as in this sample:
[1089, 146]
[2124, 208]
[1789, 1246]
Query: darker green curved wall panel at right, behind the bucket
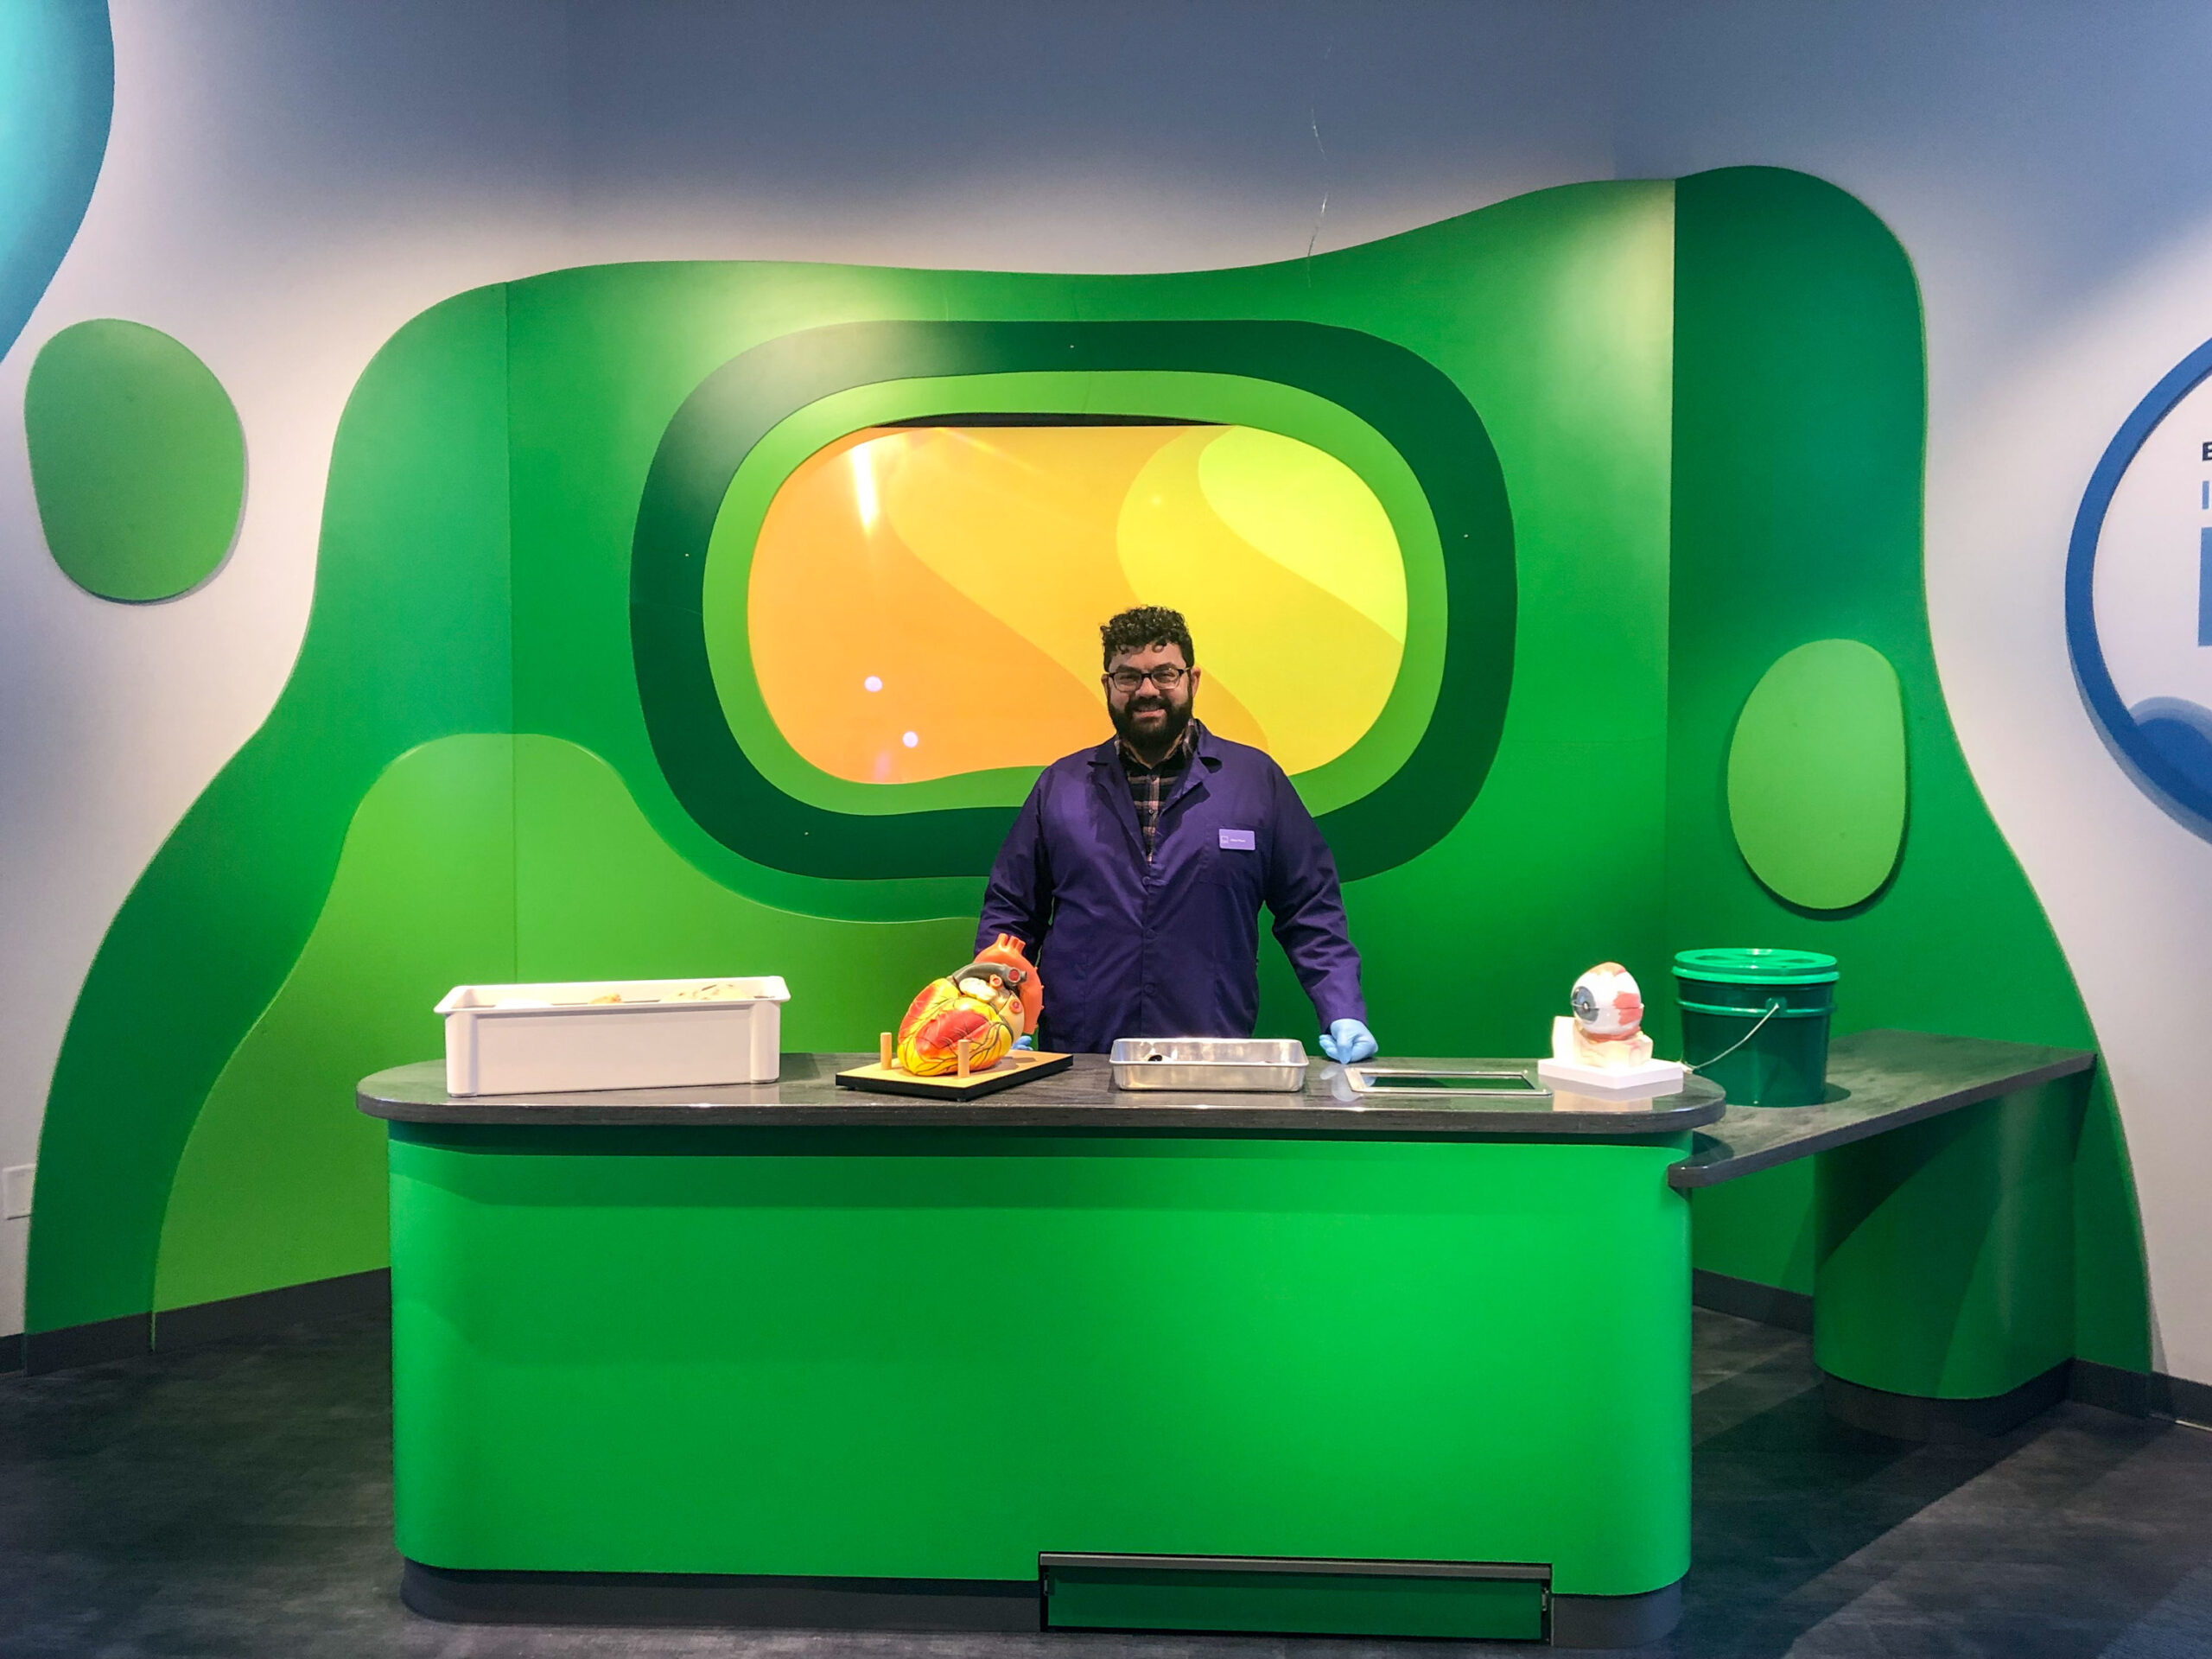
[1799, 435]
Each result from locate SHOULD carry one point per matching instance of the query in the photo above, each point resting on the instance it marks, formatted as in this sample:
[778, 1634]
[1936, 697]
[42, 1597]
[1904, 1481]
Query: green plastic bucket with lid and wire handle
[1757, 1023]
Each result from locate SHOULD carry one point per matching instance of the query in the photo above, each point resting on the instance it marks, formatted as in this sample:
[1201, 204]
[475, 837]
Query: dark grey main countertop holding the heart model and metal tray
[1078, 1098]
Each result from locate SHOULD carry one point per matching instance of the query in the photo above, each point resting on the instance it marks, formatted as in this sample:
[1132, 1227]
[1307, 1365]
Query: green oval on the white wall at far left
[136, 459]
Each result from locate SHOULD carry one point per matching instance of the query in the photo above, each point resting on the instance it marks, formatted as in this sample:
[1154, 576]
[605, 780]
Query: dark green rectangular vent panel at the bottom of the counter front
[1286, 1596]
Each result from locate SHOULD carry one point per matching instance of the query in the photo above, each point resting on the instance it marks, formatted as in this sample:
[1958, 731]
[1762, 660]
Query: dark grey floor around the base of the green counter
[238, 1503]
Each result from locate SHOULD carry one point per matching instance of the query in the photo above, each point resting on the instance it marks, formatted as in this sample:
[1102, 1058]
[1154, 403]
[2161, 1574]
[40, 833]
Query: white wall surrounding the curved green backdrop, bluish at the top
[295, 178]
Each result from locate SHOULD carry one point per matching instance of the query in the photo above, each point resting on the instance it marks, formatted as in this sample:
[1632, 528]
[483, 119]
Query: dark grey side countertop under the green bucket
[1884, 1081]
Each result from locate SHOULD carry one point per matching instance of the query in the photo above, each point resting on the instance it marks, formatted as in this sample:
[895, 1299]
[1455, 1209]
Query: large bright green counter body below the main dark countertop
[1410, 1384]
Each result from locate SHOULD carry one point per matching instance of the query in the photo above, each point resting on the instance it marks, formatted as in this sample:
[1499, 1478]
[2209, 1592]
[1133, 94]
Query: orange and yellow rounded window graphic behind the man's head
[926, 601]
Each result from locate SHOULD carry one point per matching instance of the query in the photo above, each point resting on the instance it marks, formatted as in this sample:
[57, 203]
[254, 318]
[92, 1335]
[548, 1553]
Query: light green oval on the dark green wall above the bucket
[1817, 775]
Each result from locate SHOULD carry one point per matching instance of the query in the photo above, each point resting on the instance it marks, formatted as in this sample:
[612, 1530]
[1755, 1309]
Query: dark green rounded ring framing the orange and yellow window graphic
[1406, 399]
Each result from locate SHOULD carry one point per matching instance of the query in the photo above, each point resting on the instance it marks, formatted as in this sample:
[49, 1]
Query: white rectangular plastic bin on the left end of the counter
[660, 1034]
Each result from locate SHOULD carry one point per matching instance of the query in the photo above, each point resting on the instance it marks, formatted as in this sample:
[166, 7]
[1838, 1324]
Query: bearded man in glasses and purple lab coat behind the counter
[1136, 870]
